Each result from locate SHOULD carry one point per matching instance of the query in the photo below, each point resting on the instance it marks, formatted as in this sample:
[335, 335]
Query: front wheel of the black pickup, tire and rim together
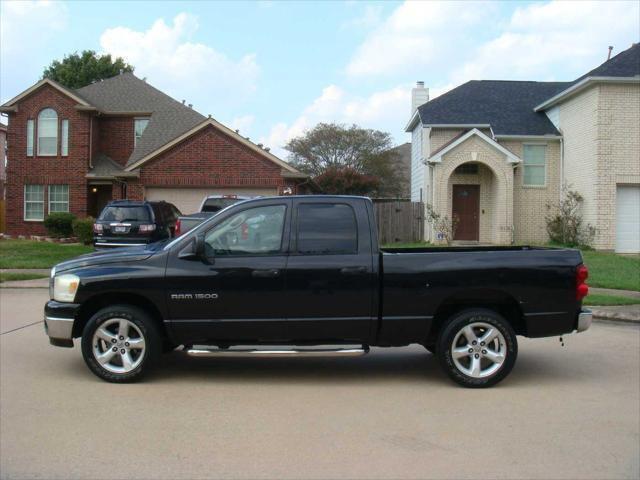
[120, 343]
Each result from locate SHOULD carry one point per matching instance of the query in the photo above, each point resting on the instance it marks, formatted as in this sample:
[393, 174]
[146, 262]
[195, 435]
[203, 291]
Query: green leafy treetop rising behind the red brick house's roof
[77, 70]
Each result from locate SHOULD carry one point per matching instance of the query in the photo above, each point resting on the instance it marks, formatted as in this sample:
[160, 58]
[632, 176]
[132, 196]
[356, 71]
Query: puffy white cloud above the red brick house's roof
[185, 69]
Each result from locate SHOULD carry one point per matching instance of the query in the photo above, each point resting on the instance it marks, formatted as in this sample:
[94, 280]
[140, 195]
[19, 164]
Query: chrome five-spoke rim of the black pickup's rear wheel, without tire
[479, 350]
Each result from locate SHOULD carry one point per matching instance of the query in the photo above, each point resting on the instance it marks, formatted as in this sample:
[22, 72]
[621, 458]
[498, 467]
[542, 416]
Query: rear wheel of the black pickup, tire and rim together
[477, 348]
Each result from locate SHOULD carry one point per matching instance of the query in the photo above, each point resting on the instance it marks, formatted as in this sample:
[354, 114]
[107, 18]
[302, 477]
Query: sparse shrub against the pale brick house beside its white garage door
[564, 221]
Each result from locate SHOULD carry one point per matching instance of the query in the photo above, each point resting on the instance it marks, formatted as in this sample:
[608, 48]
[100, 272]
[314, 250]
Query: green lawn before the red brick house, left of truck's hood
[32, 254]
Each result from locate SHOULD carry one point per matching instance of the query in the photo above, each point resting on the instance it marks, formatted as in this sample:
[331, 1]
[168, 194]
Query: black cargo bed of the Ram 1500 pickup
[535, 284]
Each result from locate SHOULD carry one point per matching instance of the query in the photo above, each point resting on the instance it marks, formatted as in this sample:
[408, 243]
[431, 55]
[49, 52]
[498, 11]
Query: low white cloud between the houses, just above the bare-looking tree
[384, 110]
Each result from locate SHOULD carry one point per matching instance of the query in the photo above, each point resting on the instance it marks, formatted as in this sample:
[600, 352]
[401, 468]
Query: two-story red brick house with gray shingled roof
[74, 150]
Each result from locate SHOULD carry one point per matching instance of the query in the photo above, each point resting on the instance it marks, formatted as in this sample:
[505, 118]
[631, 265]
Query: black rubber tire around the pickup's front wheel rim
[147, 329]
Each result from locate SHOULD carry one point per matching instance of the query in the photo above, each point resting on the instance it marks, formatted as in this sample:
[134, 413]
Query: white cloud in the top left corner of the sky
[26, 25]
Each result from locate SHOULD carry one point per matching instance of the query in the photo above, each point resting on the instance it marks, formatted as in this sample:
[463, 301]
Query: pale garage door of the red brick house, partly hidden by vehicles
[188, 200]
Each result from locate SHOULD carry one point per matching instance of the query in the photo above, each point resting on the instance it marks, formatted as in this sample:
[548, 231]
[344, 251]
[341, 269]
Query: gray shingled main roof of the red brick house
[127, 93]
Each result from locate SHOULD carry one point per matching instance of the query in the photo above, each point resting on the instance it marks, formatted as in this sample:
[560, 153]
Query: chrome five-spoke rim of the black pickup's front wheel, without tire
[118, 345]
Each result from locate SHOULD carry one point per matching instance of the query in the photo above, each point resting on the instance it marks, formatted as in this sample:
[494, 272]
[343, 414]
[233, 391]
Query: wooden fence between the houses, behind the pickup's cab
[399, 221]
